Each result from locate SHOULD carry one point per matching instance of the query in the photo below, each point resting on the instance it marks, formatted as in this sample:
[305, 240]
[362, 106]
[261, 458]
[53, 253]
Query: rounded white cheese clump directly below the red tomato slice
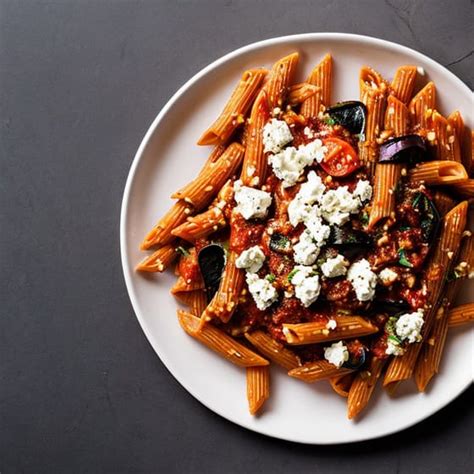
[337, 205]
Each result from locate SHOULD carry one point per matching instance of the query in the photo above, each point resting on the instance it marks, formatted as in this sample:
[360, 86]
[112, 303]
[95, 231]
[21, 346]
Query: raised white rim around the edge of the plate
[328, 36]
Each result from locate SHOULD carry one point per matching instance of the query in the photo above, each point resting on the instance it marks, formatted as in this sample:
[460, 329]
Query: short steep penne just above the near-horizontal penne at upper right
[441, 137]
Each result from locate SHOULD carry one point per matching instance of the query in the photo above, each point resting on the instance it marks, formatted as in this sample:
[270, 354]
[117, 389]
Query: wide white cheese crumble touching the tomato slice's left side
[288, 164]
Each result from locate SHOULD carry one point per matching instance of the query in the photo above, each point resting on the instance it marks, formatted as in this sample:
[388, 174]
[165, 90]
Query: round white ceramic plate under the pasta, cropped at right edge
[168, 158]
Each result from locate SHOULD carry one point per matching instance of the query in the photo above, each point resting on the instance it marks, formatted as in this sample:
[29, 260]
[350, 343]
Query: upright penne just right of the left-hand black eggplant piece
[224, 302]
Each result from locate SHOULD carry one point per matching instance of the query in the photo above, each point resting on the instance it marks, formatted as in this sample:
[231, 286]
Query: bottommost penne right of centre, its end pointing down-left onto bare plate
[363, 386]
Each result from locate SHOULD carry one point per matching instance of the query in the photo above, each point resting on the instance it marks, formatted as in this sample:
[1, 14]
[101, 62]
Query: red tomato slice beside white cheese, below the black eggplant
[341, 159]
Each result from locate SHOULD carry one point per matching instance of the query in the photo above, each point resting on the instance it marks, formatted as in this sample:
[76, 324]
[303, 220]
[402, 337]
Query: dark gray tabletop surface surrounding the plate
[80, 388]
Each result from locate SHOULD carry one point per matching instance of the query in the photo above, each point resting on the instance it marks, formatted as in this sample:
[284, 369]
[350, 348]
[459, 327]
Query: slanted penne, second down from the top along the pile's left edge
[200, 192]
